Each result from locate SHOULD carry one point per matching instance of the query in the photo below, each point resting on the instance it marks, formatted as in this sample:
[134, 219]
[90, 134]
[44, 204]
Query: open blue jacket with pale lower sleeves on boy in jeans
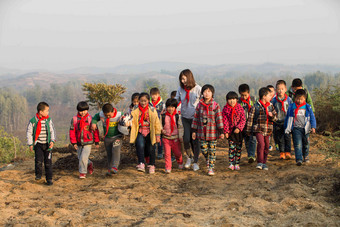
[310, 121]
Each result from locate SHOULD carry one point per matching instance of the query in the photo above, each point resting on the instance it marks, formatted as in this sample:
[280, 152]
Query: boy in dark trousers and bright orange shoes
[281, 103]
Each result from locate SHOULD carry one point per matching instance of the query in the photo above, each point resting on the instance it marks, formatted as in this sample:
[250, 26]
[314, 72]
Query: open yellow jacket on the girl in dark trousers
[155, 125]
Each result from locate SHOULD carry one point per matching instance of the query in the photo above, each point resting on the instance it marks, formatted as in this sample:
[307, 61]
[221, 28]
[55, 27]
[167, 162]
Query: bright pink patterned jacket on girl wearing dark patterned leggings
[239, 120]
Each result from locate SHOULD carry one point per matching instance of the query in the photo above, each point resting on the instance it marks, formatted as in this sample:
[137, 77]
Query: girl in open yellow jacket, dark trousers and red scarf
[145, 131]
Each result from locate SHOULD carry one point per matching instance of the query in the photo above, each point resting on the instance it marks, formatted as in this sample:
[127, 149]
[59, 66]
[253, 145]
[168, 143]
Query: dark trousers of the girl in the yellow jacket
[143, 144]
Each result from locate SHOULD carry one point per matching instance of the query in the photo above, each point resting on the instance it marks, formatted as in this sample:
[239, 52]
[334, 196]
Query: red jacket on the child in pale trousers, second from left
[85, 135]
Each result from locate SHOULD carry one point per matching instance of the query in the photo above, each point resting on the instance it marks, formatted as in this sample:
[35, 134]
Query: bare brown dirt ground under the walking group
[286, 195]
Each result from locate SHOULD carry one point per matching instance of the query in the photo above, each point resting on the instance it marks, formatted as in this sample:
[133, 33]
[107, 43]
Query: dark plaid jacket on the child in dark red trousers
[260, 124]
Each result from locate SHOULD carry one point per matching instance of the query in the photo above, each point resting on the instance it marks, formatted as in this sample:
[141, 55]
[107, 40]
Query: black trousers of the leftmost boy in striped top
[43, 155]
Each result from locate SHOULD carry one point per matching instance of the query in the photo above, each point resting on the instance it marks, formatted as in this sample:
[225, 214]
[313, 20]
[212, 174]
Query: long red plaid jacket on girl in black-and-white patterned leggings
[214, 126]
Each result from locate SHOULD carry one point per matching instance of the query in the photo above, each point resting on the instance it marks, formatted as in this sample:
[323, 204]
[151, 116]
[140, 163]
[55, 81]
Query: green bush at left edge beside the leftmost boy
[8, 145]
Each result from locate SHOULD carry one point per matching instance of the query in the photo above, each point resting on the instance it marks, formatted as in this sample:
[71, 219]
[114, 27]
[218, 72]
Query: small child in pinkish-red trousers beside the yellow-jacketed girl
[172, 131]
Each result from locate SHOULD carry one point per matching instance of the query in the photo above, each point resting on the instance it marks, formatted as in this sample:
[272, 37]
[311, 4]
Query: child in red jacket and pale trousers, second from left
[82, 137]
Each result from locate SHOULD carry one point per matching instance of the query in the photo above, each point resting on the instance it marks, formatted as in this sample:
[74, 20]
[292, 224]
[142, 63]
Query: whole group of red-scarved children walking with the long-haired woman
[190, 122]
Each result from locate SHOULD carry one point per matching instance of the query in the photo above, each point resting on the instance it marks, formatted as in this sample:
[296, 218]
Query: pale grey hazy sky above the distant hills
[63, 34]
